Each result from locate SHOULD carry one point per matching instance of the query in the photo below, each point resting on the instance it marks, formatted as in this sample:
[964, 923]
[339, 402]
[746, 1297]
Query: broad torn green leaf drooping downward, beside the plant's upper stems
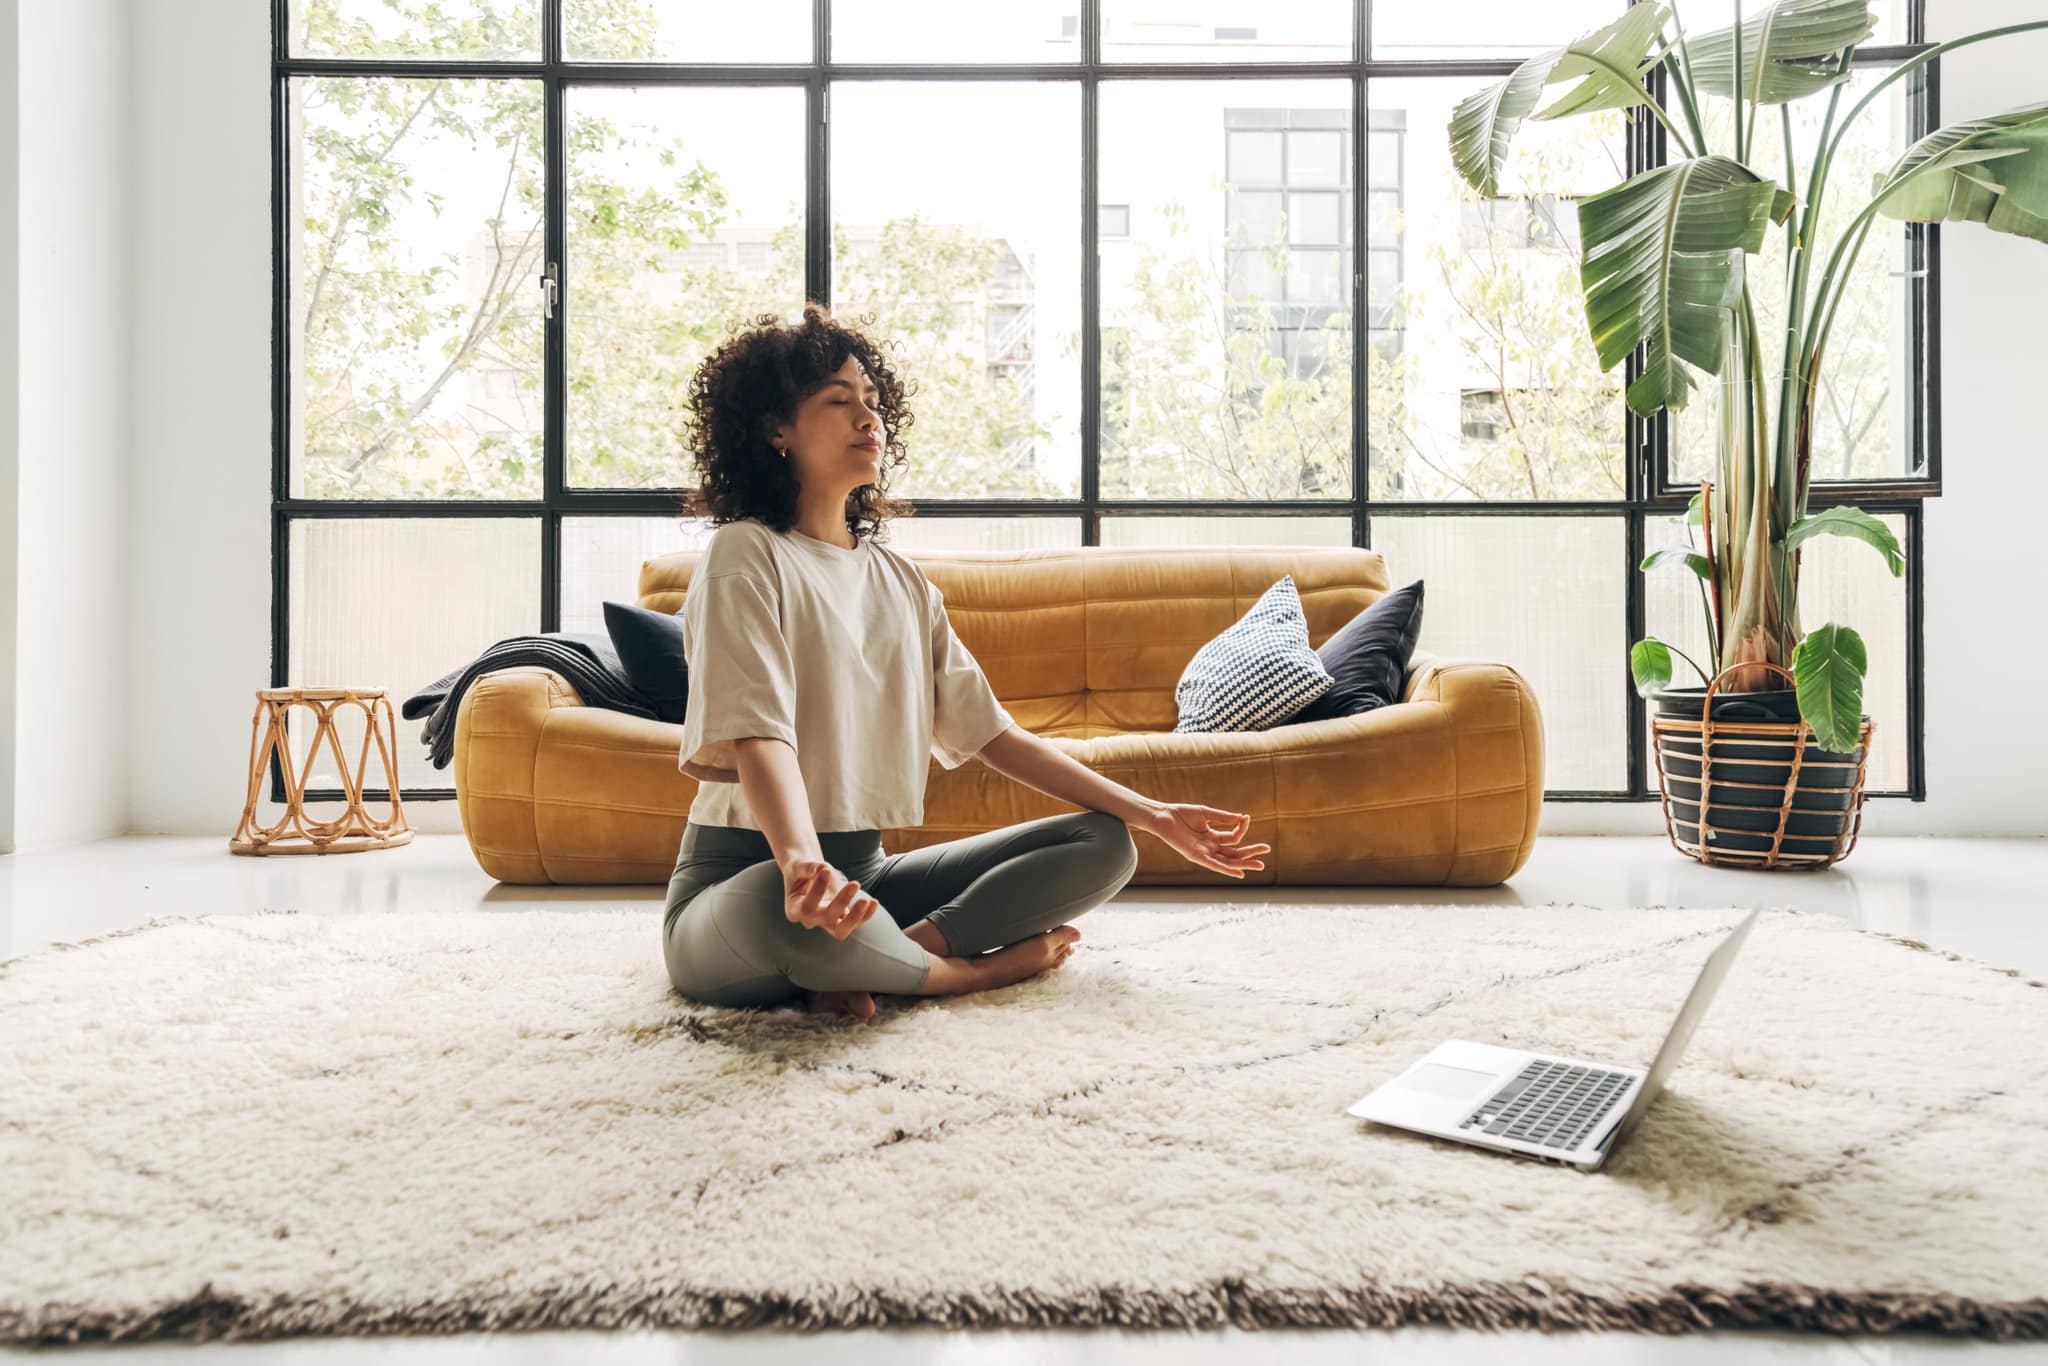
[1664, 267]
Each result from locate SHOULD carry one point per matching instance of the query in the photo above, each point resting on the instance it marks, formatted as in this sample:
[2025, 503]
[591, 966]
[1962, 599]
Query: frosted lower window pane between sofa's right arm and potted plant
[1494, 595]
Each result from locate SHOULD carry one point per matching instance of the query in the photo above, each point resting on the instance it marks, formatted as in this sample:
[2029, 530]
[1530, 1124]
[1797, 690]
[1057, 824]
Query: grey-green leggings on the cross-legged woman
[730, 943]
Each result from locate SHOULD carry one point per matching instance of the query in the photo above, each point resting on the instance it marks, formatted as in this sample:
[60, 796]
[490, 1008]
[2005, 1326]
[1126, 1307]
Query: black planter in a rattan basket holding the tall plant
[1775, 798]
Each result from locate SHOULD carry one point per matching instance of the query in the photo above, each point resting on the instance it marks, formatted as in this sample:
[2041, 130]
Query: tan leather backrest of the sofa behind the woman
[1091, 640]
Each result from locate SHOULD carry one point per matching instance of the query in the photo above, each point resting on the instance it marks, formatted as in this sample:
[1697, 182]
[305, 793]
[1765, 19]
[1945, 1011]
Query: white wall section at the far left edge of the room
[71, 216]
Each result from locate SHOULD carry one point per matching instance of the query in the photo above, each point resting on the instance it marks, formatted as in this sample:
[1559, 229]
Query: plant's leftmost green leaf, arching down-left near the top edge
[1486, 122]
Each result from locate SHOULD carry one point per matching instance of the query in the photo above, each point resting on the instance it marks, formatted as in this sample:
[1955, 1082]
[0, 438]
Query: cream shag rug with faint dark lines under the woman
[255, 1127]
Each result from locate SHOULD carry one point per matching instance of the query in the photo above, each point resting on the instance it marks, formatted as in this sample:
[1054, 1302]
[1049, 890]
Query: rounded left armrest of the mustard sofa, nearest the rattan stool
[497, 742]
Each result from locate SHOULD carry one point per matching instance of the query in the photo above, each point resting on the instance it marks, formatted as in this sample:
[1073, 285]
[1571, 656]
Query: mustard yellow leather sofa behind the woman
[1084, 648]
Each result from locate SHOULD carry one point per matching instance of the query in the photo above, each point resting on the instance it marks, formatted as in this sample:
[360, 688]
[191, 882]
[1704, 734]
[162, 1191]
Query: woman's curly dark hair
[753, 382]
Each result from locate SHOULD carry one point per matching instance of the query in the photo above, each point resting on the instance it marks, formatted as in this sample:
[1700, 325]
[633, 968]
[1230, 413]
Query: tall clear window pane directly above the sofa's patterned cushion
[1201, 392]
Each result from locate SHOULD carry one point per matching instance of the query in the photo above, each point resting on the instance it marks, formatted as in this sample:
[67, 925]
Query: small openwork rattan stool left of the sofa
[296, 833]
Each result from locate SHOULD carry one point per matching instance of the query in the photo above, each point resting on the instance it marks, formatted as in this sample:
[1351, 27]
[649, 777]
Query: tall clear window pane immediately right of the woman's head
[968, 249]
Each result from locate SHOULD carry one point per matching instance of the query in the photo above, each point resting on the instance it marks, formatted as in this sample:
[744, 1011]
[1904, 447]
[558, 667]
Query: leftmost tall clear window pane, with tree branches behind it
[415, 245]
